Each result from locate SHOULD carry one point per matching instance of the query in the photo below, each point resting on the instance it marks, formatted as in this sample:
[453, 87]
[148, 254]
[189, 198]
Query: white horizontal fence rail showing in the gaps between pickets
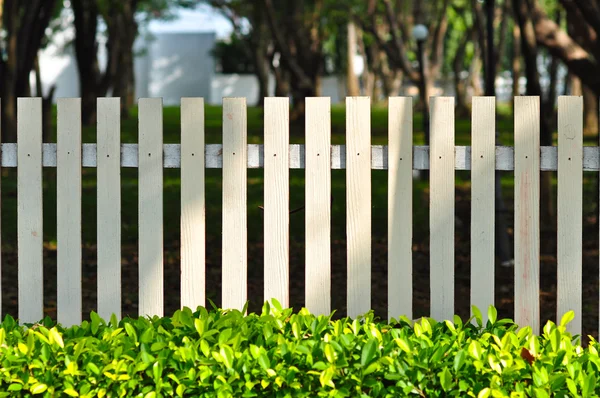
[505, 157]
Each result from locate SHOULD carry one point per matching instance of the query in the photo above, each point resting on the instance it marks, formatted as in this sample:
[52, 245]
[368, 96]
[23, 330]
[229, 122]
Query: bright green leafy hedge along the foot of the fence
[284, 354]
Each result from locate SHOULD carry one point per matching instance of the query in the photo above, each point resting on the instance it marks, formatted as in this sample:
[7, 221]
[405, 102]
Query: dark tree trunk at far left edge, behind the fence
[23, 26]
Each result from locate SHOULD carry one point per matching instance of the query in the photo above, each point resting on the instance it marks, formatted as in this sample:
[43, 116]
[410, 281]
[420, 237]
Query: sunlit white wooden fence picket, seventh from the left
[277, 200]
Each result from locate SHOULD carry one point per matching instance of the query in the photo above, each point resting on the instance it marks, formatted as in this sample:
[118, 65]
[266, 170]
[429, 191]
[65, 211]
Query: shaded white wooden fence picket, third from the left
[108, 206]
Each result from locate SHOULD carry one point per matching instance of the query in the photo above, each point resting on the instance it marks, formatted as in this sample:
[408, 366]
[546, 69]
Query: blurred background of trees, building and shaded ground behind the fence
[297, 49]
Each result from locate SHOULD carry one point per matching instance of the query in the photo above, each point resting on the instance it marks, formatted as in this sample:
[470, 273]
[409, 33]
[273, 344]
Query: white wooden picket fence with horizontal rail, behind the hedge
[318, 157]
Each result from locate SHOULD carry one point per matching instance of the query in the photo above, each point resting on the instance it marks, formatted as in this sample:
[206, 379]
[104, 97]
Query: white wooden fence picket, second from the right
[527, 212]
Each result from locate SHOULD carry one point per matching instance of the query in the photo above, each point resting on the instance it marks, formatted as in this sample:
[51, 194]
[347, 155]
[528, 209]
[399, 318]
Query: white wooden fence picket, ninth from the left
[358, 204]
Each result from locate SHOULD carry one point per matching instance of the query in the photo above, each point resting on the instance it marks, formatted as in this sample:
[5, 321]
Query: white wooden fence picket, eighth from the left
[318, 206]
